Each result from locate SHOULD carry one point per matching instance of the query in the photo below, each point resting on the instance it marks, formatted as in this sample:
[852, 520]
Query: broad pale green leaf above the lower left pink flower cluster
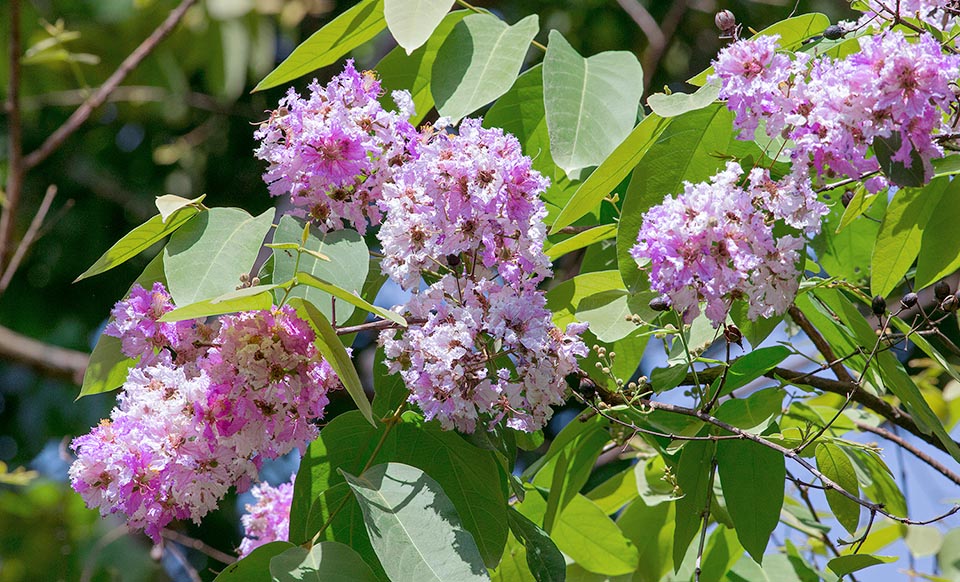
[205, 257]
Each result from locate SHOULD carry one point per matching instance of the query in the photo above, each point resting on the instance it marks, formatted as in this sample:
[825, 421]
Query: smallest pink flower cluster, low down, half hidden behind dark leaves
[267, 520]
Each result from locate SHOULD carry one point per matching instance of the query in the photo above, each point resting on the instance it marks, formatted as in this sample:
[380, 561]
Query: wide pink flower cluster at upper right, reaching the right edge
[834, 110]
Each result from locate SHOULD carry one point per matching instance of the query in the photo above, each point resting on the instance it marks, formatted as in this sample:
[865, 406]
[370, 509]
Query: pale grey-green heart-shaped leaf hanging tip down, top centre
[591, 104]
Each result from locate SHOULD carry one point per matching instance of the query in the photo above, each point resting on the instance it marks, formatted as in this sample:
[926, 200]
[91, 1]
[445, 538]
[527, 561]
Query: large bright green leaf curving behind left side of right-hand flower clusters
[689, 149]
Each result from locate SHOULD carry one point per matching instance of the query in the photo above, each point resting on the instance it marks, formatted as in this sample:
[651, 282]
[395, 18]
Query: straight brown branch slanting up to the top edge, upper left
[98, 97]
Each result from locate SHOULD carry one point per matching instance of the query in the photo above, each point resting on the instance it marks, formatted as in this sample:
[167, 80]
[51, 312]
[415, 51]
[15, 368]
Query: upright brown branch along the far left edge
[15, 163]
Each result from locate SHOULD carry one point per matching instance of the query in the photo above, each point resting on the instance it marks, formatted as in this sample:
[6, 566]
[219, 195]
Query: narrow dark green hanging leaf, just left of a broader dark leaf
[693, 475]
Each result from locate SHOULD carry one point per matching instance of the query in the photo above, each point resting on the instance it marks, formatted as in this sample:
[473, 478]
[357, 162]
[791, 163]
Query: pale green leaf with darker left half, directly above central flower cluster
[478, 62]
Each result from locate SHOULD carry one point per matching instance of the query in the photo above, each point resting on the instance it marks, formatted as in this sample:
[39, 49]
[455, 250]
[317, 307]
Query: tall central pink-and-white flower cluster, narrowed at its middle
[467, 214]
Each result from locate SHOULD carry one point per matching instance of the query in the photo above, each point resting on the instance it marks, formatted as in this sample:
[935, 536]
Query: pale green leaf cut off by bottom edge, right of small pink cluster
[326, 562]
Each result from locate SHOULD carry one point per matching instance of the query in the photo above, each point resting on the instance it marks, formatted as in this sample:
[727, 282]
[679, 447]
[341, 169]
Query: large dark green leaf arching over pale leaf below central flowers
[467, 474]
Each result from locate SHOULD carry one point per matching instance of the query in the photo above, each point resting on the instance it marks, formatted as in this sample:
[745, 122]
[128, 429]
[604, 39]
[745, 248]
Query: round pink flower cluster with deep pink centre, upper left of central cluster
[333, 150]
